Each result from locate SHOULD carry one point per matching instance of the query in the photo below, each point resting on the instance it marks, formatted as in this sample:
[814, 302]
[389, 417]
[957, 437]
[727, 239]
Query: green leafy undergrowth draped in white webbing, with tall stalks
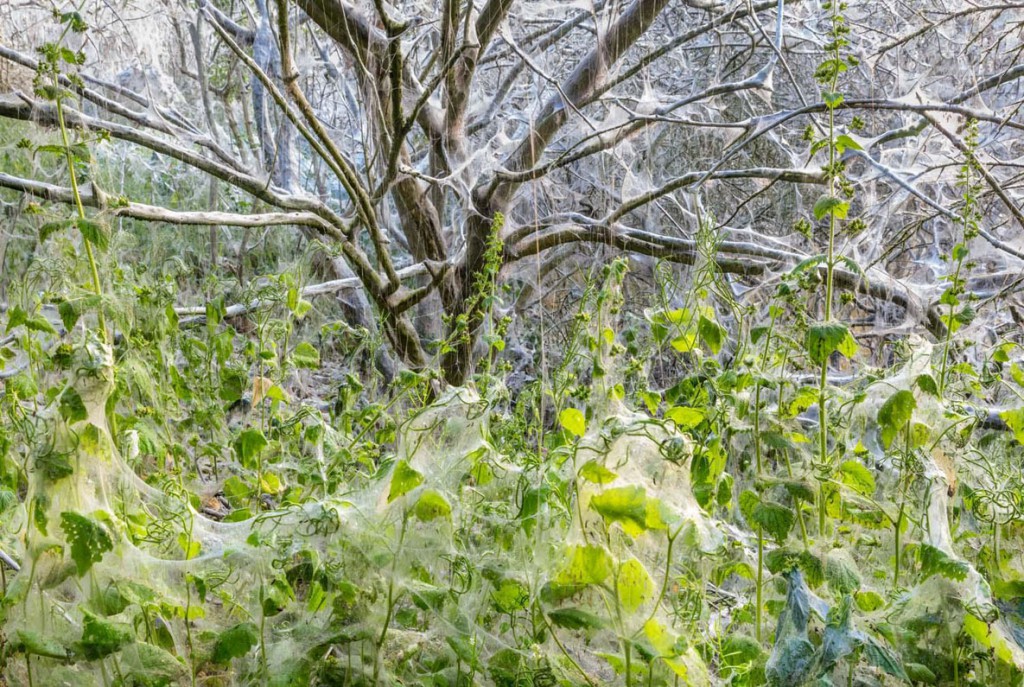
[179, 509]
